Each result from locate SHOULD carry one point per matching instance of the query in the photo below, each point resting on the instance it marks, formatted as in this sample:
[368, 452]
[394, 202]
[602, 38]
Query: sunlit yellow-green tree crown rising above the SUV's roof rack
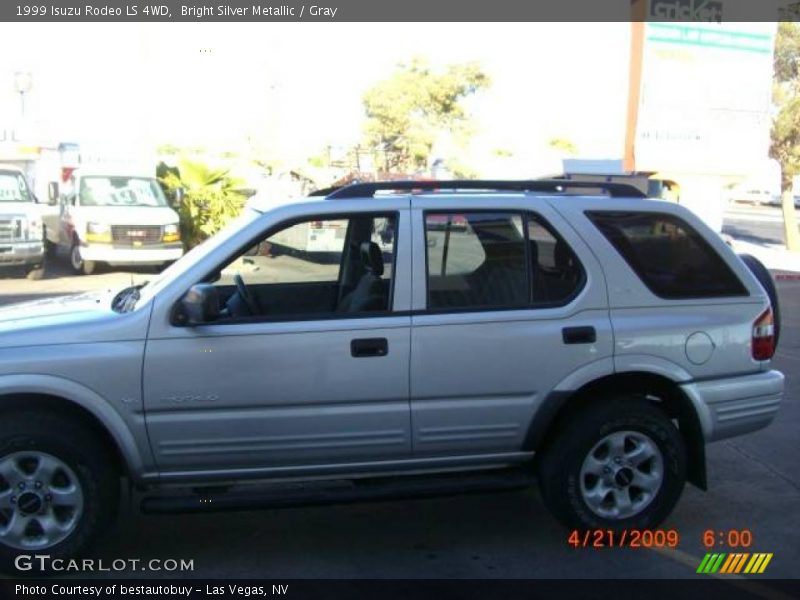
[409, 110]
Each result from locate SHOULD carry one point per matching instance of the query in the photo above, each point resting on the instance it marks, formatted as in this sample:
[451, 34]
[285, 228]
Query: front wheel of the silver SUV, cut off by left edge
[58, 488]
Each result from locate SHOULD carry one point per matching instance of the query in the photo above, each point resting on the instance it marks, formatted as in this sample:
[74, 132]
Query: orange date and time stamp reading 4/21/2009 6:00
[656, 538]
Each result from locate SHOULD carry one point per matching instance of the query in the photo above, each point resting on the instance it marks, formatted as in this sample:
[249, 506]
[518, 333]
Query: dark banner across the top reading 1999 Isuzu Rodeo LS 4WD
[330, 11]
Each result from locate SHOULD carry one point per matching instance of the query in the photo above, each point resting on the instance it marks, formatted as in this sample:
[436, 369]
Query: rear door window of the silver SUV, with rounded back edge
[495, 260]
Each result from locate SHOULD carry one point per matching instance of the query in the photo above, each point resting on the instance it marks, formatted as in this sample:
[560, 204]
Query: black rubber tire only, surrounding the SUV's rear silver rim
[562, 459]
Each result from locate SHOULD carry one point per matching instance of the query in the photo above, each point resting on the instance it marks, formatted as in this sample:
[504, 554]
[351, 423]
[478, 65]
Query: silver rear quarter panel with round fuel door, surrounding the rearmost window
[657, 335]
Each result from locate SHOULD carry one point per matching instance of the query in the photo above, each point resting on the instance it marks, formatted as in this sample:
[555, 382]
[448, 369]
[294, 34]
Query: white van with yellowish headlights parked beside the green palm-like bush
[115, 217]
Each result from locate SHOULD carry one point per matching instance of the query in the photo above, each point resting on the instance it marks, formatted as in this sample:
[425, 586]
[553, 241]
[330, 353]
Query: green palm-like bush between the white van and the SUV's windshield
[211, 198]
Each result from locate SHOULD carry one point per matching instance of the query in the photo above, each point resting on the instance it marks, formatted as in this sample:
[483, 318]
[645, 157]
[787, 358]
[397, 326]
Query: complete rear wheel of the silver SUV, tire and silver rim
[619, 464]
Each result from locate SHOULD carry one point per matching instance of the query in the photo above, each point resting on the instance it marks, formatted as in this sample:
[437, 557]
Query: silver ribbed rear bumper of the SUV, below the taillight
[736, 405]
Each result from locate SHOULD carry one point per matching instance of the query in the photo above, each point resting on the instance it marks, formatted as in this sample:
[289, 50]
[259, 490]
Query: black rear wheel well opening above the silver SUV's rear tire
[560, 405]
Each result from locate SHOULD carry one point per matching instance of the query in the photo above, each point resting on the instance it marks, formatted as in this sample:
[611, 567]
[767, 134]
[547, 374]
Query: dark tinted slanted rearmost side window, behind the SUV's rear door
[670, 257]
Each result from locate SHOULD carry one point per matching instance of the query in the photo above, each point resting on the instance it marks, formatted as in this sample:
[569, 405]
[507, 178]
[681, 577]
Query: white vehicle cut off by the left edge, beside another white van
[21, 233]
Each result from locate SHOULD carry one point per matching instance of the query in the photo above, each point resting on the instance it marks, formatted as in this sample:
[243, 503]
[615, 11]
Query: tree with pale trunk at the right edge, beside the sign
[785, 146]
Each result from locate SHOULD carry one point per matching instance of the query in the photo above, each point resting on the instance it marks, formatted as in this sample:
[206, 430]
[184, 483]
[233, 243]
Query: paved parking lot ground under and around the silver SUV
[754, 484]
